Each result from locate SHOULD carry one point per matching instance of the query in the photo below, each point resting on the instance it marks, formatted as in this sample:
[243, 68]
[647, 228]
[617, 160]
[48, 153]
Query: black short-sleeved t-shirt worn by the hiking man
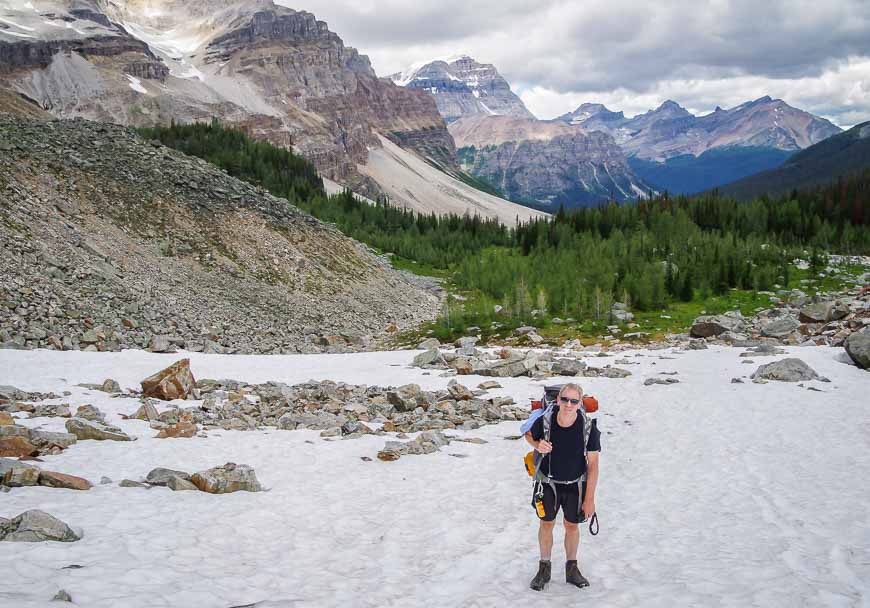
[566, 461]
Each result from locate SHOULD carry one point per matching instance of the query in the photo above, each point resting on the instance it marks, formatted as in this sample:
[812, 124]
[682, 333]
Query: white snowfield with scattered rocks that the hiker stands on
[711, 494]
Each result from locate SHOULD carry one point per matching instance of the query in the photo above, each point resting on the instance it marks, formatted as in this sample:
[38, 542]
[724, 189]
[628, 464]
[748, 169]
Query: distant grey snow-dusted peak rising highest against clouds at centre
[462, 86]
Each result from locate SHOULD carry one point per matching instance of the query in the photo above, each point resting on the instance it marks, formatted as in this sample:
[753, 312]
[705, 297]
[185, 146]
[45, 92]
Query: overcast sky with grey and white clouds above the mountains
[631, 55]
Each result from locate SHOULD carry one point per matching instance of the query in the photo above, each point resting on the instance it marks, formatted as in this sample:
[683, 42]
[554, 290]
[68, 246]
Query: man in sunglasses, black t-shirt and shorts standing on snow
[566, 479]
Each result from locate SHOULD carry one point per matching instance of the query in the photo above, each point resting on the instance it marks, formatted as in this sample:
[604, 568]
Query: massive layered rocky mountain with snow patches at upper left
[277, 72]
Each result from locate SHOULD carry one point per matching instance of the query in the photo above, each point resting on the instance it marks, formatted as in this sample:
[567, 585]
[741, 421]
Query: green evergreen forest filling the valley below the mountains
[576, 264]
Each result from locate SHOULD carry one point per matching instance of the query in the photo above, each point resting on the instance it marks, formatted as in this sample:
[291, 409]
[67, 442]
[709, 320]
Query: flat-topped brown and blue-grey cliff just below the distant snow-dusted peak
[546, 163]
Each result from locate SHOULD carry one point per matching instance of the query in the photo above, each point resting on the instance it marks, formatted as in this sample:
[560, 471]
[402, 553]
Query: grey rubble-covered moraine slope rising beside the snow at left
[108, 241]
